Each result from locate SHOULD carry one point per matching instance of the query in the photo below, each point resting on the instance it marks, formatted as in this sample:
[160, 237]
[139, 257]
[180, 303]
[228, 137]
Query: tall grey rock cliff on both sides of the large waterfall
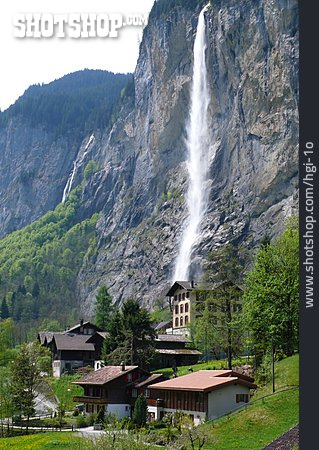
[252, 58]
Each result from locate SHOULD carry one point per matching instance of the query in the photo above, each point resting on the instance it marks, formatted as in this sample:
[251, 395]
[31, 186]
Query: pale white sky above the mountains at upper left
[27, 61]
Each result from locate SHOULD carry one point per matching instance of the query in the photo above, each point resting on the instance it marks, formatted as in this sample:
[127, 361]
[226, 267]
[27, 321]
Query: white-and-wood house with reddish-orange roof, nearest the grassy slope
[206, 394]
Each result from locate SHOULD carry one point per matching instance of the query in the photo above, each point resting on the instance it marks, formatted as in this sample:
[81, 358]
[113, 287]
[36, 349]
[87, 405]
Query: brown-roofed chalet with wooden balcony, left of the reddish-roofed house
[115, 389]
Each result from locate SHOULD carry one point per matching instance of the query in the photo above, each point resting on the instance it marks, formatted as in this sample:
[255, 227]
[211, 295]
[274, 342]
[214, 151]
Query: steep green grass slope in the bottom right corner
[264, 419]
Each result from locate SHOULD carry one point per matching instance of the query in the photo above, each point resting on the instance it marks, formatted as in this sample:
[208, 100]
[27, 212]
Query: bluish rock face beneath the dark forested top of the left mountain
[34, 167]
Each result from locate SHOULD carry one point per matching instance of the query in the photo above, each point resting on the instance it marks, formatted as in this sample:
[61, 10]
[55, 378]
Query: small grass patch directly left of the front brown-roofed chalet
[65, 390]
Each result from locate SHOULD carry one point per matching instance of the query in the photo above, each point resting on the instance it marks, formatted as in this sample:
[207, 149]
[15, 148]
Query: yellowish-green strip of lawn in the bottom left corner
[58, 440]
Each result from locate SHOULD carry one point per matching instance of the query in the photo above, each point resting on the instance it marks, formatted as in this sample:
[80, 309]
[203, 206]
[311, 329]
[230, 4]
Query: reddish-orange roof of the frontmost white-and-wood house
[202, 381]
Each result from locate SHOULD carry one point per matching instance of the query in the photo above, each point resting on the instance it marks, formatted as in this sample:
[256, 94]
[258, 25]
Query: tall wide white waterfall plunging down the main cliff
[197, 143]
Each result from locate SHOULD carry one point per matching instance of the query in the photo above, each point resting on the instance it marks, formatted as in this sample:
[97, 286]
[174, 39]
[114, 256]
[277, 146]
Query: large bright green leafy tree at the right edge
[271, 299]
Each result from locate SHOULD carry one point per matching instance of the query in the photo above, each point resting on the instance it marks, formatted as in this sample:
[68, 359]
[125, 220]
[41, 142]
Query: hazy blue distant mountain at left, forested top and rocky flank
[41, 135]
